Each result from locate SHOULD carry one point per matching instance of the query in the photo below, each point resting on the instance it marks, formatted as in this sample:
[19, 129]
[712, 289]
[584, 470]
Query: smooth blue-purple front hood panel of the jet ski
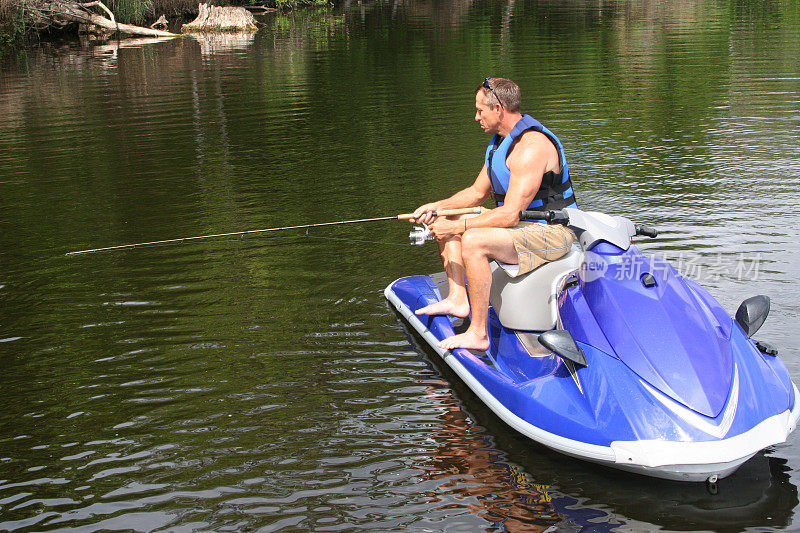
[687, 355]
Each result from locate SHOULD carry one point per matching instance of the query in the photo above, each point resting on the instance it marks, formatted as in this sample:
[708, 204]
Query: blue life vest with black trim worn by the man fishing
[555, 192]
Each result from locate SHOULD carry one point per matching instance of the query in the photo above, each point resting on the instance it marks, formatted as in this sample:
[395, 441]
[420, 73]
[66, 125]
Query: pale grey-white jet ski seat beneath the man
[529, 302]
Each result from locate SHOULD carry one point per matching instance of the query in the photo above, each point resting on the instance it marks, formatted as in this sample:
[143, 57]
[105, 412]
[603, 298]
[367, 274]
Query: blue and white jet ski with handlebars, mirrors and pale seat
[611, 356]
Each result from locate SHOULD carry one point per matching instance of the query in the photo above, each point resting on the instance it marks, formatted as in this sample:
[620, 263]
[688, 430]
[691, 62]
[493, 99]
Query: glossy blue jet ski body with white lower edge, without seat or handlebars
[624, 410]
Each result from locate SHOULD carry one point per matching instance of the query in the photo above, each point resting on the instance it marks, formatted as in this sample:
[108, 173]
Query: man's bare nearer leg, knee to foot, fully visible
[478, 246]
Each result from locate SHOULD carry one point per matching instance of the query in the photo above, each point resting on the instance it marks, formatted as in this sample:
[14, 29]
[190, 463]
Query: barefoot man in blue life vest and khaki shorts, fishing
[525, 168]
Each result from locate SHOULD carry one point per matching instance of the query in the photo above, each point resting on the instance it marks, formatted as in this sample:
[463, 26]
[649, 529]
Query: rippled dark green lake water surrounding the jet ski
[263, 383]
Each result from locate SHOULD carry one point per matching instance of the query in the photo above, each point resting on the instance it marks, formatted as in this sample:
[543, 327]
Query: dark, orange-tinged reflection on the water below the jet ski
[491, 471]
